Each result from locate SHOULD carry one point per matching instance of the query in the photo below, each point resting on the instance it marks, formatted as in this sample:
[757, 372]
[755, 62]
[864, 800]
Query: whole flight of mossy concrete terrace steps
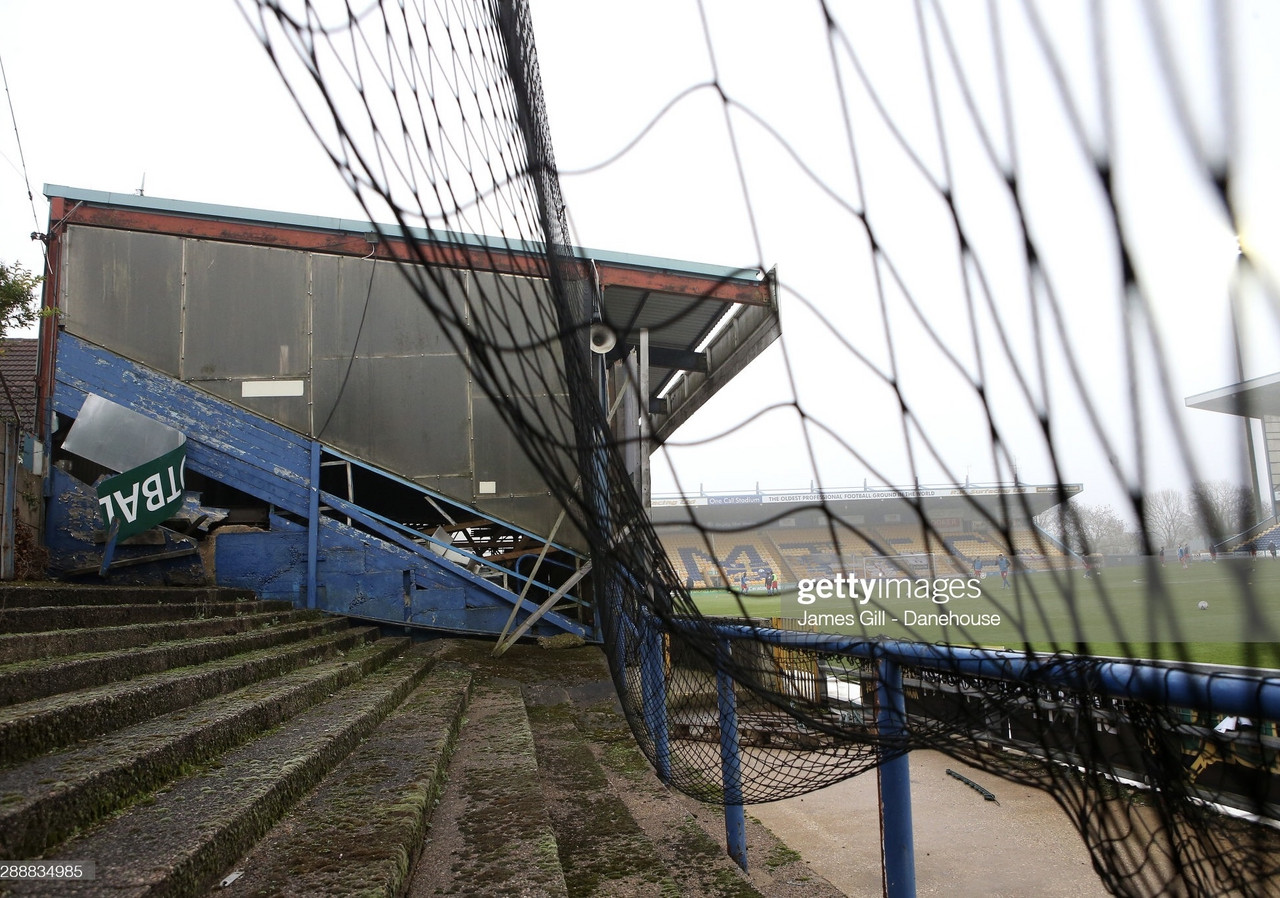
[204, 741]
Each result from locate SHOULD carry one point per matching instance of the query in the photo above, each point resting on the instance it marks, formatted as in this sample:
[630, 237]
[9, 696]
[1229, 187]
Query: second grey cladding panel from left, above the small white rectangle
[248, 313]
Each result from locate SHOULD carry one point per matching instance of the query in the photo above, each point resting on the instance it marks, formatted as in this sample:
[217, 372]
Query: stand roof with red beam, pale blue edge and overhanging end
[705, 322]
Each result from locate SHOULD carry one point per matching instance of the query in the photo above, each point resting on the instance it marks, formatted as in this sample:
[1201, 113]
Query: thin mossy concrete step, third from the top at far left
[51, 644]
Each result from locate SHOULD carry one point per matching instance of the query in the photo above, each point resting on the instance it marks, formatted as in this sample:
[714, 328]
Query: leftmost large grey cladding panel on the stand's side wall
[124, 290]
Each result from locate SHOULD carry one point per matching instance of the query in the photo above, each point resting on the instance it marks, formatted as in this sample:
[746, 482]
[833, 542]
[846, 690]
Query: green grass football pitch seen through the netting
[1132, 612]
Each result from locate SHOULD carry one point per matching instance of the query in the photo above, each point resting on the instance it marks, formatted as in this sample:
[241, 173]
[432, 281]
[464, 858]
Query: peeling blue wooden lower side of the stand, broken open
[294, 519]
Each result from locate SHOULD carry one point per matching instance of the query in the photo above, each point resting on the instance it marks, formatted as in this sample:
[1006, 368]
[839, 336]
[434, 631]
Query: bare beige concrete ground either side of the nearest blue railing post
[1022, 847]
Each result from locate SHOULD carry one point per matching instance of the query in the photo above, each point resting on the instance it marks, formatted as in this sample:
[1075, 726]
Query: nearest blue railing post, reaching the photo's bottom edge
[895, 784]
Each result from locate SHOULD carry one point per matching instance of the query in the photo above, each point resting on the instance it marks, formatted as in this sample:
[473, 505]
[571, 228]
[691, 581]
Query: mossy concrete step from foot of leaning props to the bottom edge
[491, 836]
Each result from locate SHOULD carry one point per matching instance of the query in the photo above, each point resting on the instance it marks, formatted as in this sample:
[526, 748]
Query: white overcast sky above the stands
[180, 100]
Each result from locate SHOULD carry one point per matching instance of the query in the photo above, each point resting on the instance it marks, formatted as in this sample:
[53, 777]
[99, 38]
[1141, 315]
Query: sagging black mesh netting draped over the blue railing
[1008, 237]
